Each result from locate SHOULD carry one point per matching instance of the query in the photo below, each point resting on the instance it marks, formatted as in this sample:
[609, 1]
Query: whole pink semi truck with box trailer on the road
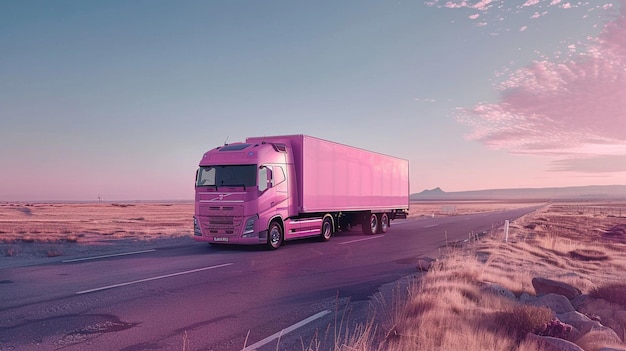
[268, 190]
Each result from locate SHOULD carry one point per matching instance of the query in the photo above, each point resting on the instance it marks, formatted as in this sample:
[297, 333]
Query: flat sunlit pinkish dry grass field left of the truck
[85, 223]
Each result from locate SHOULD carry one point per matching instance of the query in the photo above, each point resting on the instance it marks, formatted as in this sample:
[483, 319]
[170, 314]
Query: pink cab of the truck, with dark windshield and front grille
[240, 189]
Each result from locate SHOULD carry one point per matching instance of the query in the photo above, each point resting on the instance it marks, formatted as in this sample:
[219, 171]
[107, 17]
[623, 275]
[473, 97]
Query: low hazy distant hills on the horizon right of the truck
[582, 193]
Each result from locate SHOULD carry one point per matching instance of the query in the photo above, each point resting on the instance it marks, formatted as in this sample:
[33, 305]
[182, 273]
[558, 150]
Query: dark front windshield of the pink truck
[230, 175]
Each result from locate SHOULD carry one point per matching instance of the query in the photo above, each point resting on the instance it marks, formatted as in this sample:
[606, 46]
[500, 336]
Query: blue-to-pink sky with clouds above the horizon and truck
[120, 99]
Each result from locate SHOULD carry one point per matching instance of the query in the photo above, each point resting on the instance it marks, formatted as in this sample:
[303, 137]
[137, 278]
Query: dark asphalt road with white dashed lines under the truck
[199, 297]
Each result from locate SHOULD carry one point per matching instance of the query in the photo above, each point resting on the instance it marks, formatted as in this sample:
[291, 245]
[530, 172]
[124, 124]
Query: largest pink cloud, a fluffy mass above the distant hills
[575, 109]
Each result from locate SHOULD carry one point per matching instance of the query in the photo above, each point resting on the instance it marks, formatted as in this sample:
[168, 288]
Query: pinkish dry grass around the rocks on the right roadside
[452, 307]
